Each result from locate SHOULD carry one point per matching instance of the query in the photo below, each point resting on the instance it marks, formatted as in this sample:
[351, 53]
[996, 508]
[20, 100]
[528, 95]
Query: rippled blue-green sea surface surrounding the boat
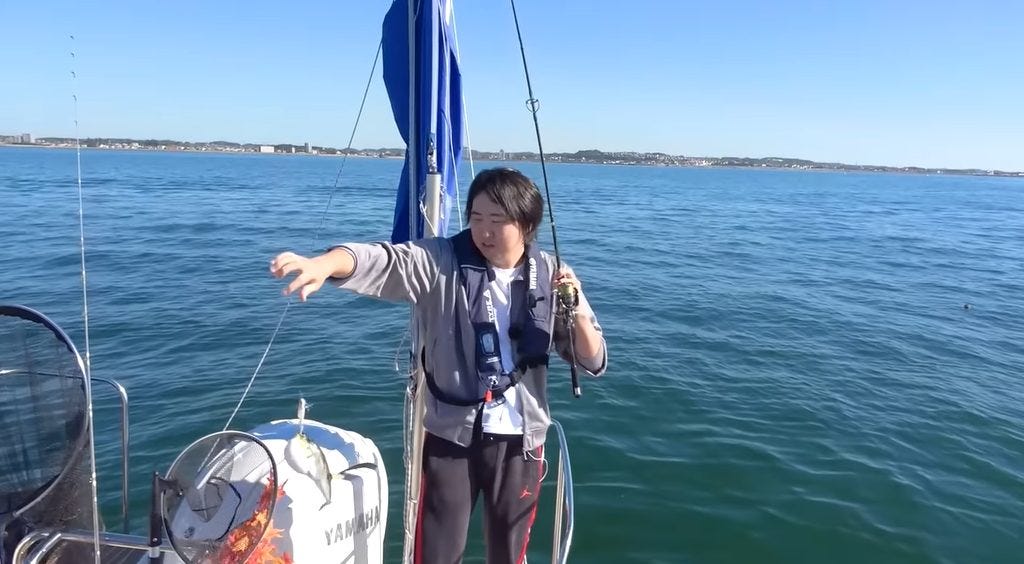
[793, 375]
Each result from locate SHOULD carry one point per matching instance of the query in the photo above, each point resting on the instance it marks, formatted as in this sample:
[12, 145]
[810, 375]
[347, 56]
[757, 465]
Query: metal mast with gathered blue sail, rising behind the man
[421, 75]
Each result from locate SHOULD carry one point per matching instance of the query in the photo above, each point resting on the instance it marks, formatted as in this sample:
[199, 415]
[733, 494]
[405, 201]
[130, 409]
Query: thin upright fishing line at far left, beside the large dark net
[88, 365]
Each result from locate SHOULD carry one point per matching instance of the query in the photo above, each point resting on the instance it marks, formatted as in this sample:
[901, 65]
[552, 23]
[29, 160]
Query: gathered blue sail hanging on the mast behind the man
[438, 105]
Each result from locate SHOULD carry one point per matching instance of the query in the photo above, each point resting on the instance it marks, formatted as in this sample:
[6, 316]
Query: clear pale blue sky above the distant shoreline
[903, 82]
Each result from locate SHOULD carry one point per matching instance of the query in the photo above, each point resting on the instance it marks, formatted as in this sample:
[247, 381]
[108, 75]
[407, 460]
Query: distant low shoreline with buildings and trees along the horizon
[592, 157]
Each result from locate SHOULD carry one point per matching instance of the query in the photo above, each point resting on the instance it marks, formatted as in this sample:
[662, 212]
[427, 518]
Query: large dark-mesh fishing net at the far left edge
[46, 467]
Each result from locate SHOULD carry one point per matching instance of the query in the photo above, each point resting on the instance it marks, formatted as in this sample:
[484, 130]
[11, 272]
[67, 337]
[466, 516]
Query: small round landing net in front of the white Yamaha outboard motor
[222, 495]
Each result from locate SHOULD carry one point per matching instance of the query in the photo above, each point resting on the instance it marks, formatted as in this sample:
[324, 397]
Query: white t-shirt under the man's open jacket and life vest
[504, 416]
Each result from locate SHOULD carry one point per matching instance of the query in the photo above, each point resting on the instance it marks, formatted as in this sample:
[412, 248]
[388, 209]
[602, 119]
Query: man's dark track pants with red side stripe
[455, 476]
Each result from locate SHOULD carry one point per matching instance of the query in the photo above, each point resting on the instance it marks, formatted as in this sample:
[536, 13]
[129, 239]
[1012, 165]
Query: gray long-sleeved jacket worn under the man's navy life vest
[425, 273]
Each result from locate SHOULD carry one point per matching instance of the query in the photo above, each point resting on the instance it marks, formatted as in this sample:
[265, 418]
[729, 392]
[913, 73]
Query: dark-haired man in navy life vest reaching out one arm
[485, 301]
